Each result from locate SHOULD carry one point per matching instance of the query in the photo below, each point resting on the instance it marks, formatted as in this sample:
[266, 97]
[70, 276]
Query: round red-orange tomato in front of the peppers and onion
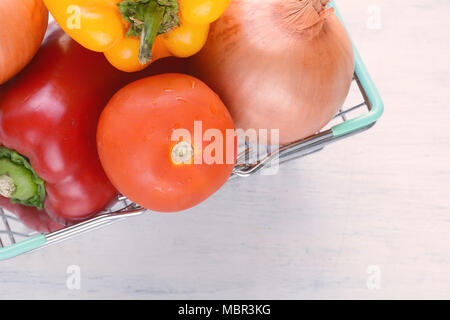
[152, 148]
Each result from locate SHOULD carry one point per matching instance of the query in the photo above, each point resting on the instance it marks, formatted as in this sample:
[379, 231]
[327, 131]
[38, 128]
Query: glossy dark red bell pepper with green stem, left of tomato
[48, 121]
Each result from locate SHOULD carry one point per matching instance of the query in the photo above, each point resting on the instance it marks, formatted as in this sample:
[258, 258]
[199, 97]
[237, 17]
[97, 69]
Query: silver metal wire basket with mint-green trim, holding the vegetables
[362, 109]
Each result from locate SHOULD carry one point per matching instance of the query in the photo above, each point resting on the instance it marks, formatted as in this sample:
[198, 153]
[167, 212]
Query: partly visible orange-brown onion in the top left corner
[23, 25]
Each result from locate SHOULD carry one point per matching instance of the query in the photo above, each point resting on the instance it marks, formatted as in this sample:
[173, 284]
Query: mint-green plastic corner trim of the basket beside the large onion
[373, 96]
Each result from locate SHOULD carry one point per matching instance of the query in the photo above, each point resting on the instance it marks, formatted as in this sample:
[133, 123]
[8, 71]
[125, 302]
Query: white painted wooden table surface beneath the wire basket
[368, 217]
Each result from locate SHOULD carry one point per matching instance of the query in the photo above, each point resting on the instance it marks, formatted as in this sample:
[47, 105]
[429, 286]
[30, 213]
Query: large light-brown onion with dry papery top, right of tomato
[277, 64]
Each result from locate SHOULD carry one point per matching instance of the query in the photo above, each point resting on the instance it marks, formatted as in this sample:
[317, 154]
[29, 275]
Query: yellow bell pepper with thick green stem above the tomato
[133, 33]
